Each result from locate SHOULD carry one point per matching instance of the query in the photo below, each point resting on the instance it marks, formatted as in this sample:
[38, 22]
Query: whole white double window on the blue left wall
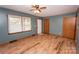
[18, 23]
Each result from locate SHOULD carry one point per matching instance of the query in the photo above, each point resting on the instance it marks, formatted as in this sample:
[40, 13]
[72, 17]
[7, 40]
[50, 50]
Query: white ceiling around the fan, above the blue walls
[50, 11]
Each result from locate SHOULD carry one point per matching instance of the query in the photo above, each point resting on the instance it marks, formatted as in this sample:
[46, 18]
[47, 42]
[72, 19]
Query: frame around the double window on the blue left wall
[21, 24]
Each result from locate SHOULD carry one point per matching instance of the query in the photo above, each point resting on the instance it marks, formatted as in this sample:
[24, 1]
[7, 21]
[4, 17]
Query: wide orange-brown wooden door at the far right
[69, 27]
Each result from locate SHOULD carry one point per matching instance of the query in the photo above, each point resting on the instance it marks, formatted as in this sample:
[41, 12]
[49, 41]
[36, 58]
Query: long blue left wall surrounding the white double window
[4, 37]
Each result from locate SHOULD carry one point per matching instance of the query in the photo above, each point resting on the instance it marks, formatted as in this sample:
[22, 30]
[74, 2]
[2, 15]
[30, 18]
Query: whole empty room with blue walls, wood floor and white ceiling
[39, 29]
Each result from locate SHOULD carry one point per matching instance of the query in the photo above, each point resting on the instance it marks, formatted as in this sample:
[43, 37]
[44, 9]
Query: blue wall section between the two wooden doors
[56, 24]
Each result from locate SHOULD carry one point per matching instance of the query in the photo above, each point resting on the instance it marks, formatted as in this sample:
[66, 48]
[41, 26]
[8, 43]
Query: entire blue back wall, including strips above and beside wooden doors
[56, 23]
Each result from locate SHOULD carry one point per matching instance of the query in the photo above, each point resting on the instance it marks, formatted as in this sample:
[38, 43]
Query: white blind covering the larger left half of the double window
[14, 24]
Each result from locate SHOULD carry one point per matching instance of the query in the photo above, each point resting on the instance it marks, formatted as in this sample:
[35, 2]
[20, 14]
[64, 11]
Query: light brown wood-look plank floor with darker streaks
[40, 44]
